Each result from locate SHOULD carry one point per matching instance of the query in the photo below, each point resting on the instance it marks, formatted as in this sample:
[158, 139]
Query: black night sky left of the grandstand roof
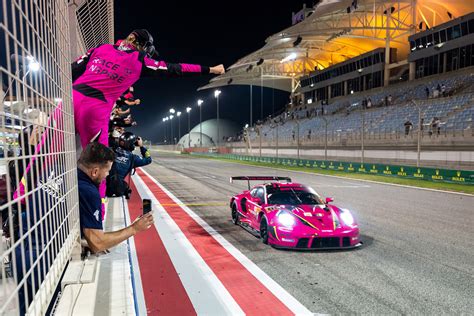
[205, 33]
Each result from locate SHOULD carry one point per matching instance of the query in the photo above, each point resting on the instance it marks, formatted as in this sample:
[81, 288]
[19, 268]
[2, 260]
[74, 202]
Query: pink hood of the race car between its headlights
[322, 217]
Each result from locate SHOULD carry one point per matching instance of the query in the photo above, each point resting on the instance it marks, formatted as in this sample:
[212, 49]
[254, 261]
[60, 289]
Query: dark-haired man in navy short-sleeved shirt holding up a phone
[93, 166]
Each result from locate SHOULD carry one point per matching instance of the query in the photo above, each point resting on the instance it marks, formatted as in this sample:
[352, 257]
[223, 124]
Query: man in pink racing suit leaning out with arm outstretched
[104, 73]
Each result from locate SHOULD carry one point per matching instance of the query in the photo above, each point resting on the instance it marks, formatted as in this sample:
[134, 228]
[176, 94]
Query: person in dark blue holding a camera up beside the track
[124, 162]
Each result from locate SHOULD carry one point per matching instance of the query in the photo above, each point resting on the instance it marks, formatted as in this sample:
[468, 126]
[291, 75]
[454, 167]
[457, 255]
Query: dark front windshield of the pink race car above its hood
[293, 196]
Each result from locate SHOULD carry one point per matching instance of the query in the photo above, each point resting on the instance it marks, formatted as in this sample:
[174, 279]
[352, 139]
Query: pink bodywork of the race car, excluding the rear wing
[315, 226]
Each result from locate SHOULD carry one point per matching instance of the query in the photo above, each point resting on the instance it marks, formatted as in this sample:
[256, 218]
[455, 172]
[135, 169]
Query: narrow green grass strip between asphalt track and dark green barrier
[454, 187]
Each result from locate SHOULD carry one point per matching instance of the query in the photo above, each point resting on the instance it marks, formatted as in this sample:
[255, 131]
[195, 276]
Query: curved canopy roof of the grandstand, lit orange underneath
[336, 31]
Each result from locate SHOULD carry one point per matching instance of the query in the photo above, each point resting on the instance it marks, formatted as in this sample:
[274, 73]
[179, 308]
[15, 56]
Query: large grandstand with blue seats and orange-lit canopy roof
[365, 68]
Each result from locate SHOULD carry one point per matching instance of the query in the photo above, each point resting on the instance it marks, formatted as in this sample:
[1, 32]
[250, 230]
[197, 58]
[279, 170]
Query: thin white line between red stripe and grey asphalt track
[286, 298]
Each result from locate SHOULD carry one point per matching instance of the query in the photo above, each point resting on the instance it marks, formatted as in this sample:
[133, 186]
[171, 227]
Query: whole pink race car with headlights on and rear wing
[292, 215]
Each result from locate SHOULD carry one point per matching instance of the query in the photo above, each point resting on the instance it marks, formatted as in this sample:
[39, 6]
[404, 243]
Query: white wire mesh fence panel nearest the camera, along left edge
[38, 178]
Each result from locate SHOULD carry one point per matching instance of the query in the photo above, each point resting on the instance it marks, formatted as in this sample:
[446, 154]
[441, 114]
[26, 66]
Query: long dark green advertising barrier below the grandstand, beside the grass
[407, 172]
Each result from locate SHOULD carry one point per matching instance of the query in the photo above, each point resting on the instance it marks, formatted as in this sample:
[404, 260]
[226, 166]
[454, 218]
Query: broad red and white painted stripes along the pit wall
[186, 267]
